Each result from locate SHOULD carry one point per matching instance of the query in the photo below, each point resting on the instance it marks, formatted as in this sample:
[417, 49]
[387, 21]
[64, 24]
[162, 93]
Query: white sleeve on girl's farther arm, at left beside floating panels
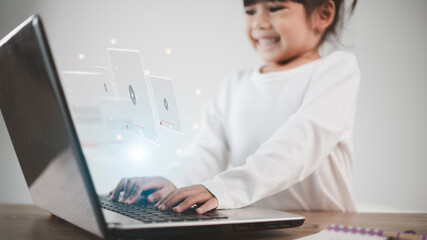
[207, 155]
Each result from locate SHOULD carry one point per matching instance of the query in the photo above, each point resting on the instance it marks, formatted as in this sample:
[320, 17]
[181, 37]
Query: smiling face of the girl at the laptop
[280, 31]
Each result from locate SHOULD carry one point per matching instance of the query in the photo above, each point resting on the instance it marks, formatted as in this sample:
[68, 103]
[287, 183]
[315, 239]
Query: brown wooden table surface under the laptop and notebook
[29, 222]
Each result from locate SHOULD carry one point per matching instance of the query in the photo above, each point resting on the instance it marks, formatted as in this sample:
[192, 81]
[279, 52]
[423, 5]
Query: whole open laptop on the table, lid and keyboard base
[40, 125]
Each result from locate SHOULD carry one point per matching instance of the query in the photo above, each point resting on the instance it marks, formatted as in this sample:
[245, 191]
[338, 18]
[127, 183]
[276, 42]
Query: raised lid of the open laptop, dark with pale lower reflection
[39, 124]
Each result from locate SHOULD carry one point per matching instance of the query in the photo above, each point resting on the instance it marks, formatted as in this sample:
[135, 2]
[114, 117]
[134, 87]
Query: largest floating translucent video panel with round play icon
[133, 93]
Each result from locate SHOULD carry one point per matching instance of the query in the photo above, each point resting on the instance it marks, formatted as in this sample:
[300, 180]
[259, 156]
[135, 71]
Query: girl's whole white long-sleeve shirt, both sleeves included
[281, 140]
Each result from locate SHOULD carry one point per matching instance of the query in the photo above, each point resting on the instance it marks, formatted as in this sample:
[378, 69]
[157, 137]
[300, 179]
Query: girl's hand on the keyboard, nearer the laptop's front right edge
[188, 196]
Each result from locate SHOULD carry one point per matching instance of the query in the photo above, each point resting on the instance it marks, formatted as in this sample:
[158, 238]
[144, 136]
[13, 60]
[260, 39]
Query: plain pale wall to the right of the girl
[391, 133]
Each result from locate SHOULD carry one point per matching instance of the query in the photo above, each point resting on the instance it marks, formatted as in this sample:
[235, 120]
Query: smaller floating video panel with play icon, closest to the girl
[166, 104]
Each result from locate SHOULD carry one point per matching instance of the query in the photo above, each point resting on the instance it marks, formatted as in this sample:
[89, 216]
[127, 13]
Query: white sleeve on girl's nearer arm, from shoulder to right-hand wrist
[298, 147]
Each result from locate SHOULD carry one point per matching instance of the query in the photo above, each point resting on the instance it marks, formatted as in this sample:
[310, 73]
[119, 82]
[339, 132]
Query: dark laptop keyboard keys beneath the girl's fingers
[145, 211]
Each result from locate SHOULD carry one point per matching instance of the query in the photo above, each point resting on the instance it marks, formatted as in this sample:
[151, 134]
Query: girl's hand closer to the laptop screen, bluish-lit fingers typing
[133, 187]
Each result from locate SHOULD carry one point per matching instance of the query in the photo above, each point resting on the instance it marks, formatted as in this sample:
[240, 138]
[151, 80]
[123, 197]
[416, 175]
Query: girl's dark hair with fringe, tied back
[311, 5]
